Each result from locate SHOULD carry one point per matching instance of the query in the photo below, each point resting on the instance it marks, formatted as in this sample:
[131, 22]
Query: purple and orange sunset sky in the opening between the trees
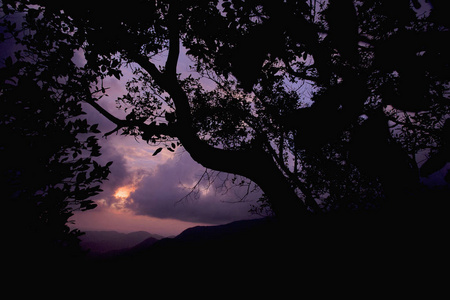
[145, 192]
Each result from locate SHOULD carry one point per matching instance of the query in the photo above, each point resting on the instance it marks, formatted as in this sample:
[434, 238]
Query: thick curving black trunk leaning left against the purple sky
[253, 163]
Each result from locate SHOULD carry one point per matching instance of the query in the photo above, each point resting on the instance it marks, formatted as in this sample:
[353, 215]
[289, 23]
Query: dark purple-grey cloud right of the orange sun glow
[162, 194]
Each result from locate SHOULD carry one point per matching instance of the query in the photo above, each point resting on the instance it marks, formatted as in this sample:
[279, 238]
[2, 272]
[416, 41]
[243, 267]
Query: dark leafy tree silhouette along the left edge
[47, 149]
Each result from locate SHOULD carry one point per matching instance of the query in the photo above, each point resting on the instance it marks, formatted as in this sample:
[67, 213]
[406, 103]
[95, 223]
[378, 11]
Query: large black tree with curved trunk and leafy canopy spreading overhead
[326, 105]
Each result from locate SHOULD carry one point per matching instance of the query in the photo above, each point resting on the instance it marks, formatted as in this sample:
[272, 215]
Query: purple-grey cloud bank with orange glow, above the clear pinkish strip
[157, 183]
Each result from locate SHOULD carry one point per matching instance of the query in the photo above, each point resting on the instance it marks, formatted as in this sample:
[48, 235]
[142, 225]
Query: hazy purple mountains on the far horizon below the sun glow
[101, 242]
